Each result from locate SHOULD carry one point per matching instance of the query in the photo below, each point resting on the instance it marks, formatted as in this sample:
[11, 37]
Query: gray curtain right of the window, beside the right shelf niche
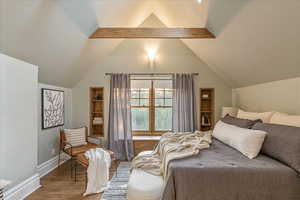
[184, 107]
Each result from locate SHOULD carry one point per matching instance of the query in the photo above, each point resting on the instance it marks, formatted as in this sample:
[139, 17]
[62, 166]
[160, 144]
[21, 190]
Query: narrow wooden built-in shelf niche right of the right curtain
[206, 109]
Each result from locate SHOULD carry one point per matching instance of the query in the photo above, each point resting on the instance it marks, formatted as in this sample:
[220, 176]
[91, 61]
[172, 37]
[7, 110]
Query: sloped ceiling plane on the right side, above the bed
[257, 40]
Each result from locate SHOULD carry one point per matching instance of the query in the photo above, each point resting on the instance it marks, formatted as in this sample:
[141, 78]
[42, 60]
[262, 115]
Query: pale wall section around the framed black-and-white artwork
[48, 139]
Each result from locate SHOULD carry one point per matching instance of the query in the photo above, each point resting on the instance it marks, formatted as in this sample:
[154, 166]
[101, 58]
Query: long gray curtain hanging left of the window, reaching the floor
[119, 125]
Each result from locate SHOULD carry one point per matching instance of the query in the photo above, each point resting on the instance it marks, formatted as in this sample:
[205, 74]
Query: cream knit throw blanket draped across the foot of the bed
[170, 147]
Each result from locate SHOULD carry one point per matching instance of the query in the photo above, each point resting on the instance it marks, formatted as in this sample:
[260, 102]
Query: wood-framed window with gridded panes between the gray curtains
[151, 106]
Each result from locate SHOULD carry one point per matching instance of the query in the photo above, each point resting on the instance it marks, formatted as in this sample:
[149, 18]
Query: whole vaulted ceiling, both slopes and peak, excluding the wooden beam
[257, 40]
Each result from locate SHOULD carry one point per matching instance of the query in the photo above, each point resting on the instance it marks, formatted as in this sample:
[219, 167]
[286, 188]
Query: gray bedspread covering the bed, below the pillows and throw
[222, 173]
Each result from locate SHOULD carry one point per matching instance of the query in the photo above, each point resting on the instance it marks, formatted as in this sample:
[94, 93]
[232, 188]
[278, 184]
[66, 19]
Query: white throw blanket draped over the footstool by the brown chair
[98, 170]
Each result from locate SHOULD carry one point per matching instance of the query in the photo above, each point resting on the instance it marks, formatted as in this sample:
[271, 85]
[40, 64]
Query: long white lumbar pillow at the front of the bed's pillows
[247, 141]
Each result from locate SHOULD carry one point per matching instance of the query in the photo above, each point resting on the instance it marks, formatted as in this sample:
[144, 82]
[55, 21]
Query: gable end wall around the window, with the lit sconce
[130, 56]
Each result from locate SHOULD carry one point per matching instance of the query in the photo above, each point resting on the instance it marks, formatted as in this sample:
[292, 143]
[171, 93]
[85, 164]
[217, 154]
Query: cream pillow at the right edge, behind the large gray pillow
[285, 119]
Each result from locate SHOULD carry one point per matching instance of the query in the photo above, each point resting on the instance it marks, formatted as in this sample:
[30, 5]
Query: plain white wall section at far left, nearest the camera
[18, 86]
